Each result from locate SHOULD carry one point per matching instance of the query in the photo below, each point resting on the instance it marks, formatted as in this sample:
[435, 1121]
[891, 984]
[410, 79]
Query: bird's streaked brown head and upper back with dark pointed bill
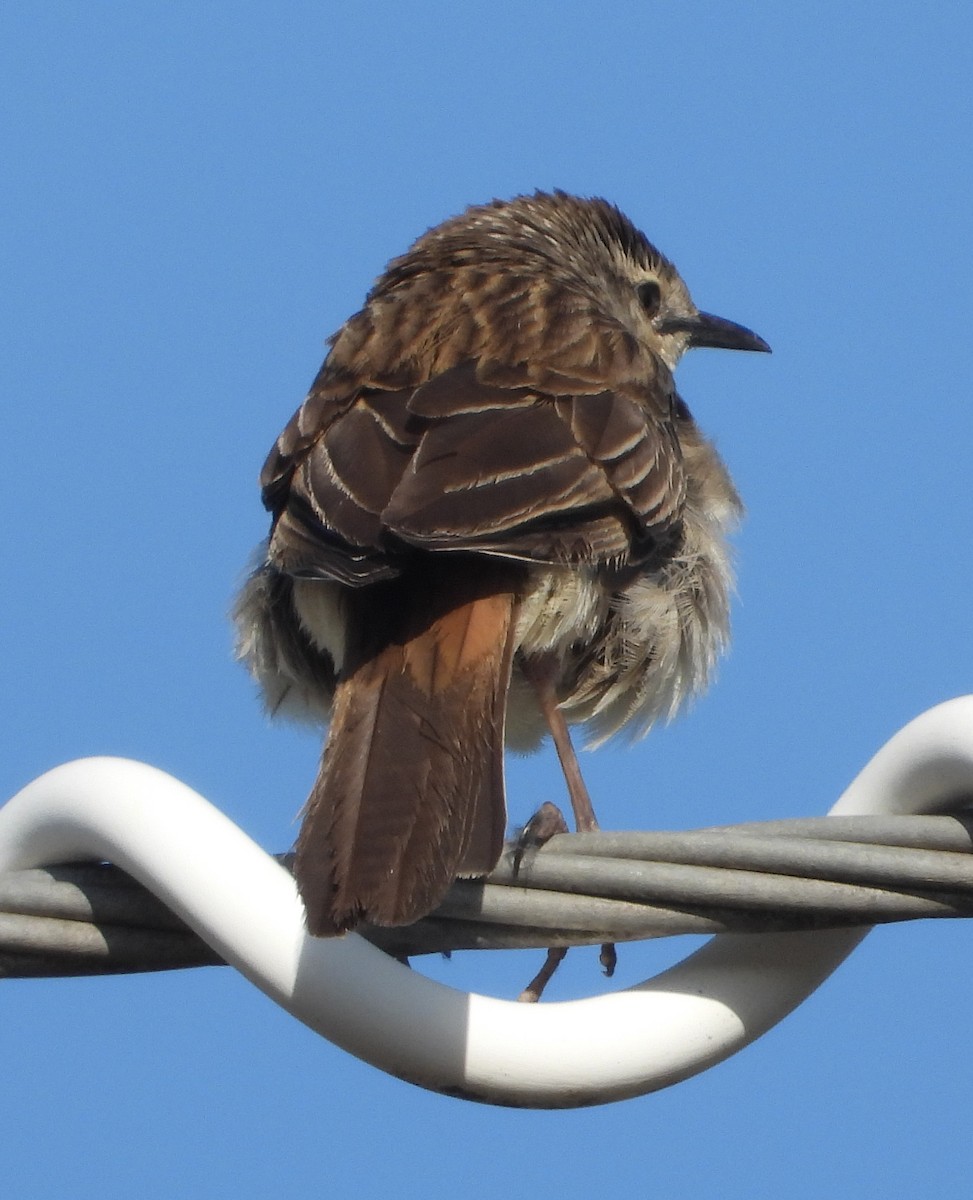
[549, 278]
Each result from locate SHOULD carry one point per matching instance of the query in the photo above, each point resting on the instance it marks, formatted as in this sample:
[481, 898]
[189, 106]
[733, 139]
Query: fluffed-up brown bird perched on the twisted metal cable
[492, 518]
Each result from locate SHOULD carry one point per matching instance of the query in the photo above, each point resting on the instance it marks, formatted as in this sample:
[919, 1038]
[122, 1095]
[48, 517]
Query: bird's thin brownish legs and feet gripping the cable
[542, 674]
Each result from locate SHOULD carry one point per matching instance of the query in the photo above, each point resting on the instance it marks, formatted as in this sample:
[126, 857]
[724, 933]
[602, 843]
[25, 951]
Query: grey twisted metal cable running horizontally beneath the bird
[578, 890]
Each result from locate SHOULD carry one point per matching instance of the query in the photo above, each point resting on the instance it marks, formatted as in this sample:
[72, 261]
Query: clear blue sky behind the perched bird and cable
[194, 197]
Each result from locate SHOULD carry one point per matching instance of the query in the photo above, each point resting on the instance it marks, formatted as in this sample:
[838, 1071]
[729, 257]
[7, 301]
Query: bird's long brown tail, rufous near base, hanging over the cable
[411, 789]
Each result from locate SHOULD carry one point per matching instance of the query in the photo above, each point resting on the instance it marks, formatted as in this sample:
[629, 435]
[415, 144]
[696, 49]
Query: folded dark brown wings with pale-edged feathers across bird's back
[463, 465]
